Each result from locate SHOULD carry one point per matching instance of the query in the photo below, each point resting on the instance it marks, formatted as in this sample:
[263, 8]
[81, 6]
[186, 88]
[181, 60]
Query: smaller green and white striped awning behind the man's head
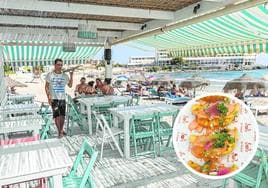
[31, 55]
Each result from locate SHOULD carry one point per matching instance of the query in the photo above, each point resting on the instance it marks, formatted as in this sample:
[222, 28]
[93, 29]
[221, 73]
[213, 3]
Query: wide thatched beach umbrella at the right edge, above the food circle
[244, 82]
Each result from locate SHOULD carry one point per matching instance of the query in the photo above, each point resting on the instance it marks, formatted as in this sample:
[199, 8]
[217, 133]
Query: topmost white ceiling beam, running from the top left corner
[76, 8]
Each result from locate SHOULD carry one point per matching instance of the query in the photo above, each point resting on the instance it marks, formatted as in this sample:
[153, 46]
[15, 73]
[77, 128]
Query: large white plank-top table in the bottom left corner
[28, 161]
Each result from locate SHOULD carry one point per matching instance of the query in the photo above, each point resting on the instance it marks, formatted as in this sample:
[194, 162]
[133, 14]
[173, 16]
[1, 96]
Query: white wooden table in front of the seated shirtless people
[87, 103]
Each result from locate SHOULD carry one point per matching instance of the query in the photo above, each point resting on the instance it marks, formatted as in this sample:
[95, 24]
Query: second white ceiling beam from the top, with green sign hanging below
[69, 23]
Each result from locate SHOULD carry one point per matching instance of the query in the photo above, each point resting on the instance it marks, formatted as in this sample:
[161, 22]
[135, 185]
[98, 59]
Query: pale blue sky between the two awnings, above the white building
[122, 52]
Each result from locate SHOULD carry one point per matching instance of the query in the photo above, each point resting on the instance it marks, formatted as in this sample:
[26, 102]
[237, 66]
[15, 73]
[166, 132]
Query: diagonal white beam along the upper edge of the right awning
[207, 11]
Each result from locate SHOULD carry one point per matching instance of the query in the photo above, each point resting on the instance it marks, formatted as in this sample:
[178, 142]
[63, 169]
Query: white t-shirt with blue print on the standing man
[57, 84]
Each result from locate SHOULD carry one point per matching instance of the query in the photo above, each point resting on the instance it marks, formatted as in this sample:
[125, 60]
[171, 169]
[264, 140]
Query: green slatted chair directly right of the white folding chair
[143, 134]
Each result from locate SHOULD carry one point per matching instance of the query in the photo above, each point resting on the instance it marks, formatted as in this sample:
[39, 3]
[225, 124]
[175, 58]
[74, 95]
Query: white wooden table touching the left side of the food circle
[126, 113]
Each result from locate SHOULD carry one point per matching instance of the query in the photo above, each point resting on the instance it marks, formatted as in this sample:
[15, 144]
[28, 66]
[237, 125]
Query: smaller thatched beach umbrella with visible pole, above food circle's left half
[194, 82]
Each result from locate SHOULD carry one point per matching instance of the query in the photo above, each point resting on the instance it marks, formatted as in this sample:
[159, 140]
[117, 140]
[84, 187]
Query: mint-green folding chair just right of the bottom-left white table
[80, 162]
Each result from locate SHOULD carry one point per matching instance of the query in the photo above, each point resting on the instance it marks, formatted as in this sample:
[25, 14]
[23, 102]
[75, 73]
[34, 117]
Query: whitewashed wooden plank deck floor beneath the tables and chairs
[145, 172]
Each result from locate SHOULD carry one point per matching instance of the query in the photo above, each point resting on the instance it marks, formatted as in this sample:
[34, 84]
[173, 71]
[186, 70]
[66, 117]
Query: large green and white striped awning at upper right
[245, 31]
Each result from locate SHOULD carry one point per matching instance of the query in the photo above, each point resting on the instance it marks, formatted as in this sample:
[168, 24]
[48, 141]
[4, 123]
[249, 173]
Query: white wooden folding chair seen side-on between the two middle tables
[107, 134]
